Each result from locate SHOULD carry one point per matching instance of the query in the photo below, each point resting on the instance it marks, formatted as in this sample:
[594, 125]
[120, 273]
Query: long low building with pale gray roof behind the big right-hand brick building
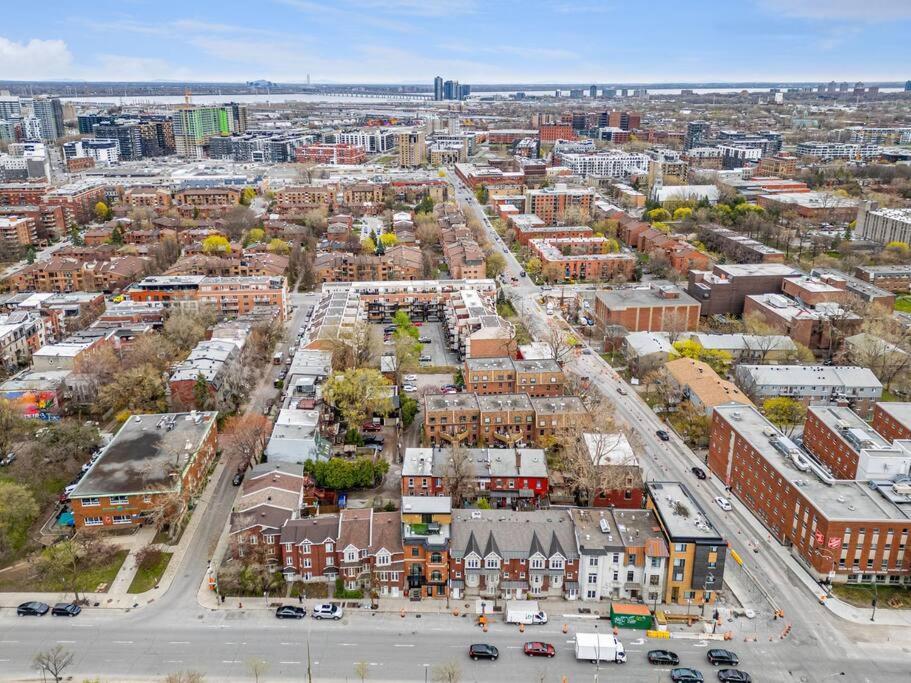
[812, 384]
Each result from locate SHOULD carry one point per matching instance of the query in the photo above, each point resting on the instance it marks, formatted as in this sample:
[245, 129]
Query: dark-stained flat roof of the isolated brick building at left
[143, 454]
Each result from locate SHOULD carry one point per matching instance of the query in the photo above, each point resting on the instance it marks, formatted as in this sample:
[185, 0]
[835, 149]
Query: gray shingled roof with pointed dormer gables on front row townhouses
[512, 535]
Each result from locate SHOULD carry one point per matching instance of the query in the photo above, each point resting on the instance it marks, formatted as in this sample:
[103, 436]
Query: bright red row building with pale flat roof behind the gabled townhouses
[505, 477]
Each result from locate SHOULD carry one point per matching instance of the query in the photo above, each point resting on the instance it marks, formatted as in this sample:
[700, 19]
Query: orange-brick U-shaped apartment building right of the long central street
[585, 259]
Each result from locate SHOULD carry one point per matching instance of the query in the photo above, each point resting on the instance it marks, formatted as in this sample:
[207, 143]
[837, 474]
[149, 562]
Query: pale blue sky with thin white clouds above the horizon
[472, 41]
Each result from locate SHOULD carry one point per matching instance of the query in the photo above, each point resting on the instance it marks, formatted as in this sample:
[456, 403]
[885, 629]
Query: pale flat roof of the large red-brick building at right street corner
[834, 498]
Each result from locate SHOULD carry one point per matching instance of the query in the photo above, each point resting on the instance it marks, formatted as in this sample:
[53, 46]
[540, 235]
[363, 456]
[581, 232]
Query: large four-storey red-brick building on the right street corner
[844, 530]
